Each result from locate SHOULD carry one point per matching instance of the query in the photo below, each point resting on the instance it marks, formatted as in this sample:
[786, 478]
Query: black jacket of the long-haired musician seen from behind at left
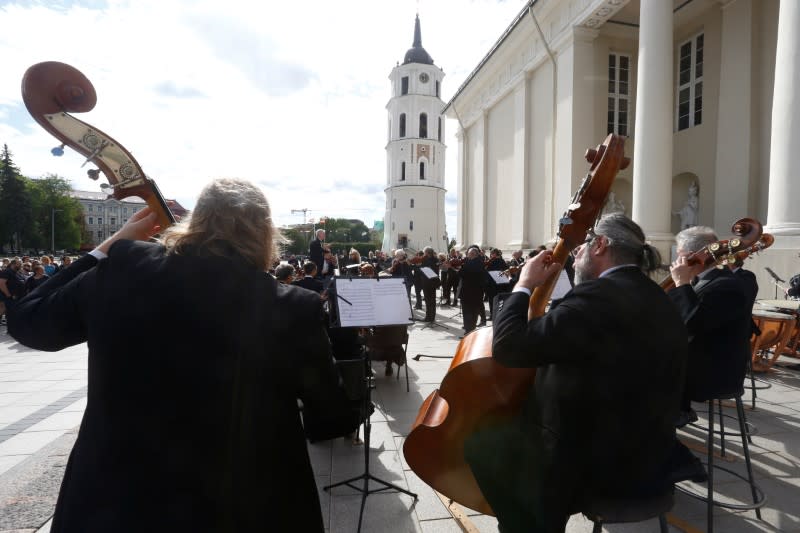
[195, 367]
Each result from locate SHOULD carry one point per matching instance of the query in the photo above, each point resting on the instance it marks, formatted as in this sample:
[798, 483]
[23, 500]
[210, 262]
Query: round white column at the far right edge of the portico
[783, 215]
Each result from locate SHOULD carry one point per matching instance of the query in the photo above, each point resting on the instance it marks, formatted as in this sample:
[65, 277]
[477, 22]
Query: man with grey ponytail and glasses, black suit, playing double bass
[598, 423]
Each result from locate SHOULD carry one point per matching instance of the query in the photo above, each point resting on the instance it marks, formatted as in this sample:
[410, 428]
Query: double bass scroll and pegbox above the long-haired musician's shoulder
[51, 90]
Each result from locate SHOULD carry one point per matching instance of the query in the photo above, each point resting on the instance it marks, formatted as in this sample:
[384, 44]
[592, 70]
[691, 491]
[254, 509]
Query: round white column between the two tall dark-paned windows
[652, 155]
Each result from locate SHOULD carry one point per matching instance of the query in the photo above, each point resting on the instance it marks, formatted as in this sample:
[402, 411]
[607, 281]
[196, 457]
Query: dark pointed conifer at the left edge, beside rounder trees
[15, 207]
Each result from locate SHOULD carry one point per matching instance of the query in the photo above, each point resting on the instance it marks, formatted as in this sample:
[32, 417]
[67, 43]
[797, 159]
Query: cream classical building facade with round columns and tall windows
[710, 123]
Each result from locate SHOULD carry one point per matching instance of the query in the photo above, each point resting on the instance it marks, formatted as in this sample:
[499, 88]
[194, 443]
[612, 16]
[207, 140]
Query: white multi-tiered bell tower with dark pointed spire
[415, 216]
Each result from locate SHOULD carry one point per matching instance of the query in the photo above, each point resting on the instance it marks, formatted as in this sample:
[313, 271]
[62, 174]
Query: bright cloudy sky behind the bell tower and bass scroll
[290, 95]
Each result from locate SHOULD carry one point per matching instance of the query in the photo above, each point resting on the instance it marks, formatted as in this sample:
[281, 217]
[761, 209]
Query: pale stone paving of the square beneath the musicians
[42, 396]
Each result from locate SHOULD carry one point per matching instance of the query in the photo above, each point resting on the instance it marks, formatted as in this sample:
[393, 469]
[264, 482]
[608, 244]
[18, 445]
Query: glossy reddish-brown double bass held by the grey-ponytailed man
[478, 391]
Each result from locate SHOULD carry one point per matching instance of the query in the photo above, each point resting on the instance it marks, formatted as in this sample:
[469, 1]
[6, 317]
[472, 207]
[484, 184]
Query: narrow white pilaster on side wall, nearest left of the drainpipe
[520, 207]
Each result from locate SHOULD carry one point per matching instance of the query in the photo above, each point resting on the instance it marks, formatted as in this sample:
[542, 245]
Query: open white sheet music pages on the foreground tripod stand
[372, 302]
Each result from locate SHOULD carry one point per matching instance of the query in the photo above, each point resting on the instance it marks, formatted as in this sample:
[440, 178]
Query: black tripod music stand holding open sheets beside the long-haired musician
[359, 308]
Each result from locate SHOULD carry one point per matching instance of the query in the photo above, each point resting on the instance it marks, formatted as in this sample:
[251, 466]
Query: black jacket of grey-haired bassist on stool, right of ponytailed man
[718, 314]
